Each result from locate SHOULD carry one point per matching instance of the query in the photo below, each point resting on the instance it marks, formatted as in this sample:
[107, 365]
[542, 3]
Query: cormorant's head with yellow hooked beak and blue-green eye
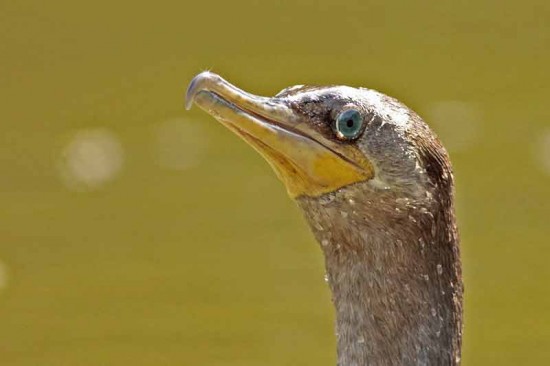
[321, 139]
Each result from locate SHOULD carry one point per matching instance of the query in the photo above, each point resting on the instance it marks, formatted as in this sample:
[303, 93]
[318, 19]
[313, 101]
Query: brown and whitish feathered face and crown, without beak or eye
[387, 140]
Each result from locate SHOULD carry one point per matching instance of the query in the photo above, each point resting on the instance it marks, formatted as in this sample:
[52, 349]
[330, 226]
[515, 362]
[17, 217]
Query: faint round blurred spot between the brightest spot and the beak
[180, 144]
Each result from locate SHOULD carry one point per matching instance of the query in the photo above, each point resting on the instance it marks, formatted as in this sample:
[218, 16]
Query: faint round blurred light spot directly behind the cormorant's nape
[457, 123]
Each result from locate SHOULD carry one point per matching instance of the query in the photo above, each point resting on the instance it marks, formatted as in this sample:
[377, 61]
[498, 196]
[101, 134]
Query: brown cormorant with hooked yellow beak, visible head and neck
[376, 187]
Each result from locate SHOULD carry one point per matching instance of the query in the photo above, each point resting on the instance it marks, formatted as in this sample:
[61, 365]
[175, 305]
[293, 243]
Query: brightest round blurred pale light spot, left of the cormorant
[92, 158]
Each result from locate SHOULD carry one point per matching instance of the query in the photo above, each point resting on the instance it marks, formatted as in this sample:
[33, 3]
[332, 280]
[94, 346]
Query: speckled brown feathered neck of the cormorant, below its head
[393, 266]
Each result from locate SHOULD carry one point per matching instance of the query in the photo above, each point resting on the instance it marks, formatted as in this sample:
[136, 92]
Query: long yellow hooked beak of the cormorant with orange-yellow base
[307, 162]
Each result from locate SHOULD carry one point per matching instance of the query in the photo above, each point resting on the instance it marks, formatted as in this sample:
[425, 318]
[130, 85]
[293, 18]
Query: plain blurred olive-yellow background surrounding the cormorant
[133, 232]
